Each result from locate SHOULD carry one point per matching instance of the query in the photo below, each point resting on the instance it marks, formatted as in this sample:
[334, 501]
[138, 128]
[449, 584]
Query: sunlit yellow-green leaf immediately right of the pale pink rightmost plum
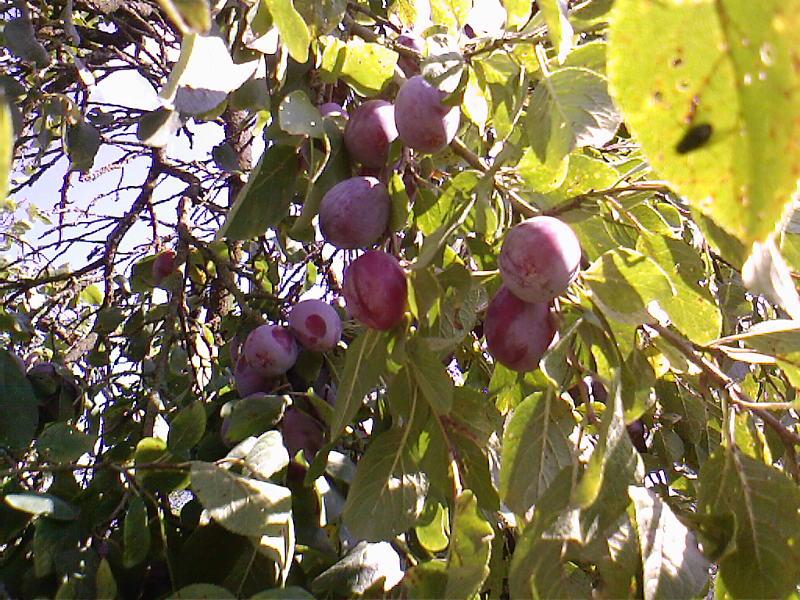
[625, 282]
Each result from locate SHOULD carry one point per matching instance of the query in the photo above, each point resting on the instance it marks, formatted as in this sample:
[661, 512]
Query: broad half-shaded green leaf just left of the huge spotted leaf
[570, 109]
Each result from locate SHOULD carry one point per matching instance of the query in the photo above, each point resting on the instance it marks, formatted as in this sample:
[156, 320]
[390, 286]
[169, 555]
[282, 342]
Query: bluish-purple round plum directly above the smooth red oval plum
[355, 212]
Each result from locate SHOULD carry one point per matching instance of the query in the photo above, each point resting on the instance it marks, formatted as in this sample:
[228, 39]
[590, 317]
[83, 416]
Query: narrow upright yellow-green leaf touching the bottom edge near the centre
[470, 549]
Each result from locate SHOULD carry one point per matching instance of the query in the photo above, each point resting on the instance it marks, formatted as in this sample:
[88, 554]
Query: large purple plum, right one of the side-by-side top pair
[423, 121]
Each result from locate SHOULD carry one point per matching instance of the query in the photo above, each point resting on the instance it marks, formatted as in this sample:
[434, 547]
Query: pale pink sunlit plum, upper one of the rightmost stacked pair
[540, 258]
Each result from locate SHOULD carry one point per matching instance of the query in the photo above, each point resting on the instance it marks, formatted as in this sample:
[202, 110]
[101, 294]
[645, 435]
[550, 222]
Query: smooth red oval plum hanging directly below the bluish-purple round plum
[375, 290]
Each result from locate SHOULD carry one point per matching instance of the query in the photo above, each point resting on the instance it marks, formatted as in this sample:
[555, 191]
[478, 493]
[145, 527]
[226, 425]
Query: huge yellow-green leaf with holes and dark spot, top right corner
[711, 90]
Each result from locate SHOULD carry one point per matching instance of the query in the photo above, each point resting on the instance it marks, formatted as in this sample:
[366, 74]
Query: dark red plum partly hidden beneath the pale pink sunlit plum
[518, 333]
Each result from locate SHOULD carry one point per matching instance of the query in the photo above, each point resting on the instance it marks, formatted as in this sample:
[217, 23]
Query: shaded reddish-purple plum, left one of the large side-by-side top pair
[369, 132]
